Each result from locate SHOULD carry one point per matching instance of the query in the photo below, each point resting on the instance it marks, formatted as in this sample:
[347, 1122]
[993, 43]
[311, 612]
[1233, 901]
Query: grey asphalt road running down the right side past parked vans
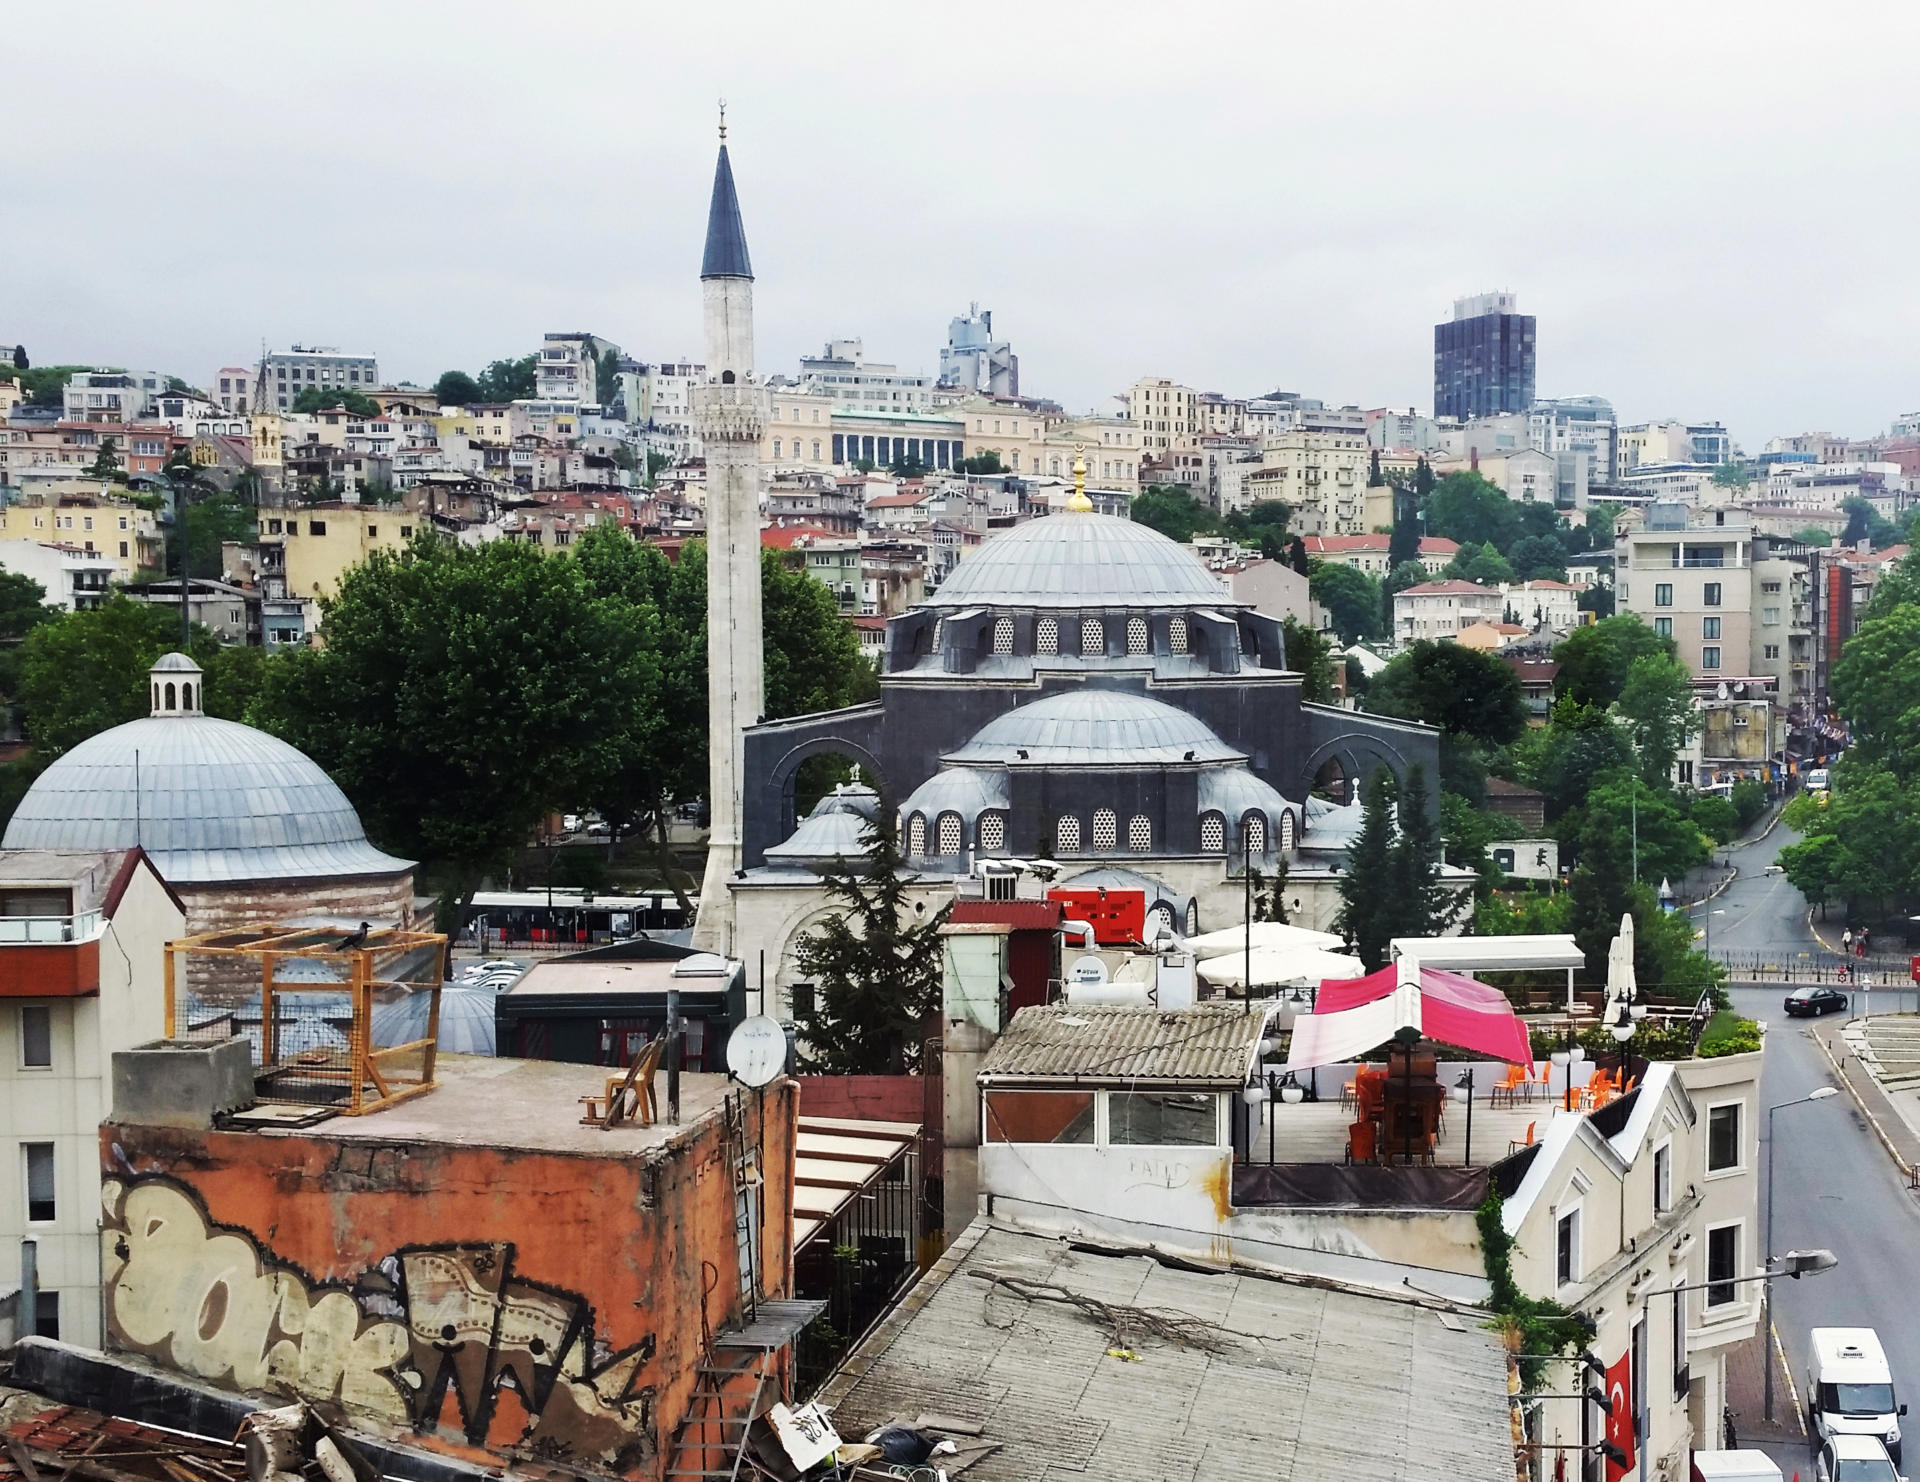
[1836, 1185]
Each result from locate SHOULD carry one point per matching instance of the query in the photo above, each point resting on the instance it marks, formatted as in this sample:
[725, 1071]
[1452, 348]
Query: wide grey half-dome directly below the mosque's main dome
[1097, 729]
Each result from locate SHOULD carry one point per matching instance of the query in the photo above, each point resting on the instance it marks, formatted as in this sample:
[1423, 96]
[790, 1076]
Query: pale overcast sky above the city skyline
[1712, 210]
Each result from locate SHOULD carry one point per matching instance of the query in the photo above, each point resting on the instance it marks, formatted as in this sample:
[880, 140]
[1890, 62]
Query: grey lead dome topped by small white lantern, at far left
[210, 801]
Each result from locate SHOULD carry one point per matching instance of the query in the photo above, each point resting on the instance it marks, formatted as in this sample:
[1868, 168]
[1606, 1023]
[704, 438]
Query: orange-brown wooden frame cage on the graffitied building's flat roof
[304, 997]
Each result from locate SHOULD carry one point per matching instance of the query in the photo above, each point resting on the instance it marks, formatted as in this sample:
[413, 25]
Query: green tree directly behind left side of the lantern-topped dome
[87, 671]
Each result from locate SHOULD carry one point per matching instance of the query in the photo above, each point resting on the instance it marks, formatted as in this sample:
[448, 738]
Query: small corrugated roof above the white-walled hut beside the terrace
[1189, 1045]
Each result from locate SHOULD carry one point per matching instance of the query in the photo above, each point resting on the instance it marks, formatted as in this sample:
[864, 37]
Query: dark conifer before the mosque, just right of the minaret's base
[875, 967]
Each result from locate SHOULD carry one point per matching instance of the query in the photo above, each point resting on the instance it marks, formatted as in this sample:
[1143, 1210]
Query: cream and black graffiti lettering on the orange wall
[519, 1358]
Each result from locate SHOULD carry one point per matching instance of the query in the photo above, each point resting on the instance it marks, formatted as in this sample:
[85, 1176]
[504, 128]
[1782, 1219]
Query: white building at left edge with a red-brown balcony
[82, 945]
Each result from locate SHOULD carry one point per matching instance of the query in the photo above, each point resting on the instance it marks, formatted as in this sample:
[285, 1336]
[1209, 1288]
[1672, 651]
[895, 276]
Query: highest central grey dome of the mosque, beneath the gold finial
[1080, 562]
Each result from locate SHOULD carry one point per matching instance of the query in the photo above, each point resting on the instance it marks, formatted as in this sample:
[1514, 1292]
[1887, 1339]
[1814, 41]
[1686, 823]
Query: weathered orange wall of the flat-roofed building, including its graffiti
[629, 1237]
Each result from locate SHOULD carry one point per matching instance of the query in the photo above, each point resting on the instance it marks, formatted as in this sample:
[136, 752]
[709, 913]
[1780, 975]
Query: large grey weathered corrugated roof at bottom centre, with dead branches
[1307, 1383]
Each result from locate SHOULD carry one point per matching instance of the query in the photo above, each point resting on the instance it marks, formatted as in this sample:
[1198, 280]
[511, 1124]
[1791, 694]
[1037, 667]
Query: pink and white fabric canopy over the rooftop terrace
[1356, 1016]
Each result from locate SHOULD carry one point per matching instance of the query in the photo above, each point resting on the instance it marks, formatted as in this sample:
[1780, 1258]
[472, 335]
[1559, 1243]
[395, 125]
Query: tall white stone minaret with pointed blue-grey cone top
[729, 414]
